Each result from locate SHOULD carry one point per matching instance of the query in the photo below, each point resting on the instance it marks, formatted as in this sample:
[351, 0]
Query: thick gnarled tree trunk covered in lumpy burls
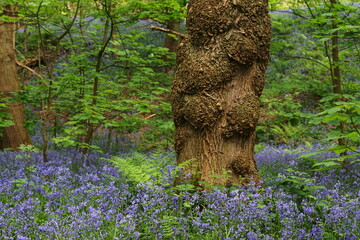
[220, 76]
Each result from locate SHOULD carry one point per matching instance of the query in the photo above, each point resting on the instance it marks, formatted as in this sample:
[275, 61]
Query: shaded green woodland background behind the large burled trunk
[95, 76]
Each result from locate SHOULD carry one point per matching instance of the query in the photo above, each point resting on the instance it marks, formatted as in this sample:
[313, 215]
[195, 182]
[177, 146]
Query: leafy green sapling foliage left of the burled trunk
[131, 97]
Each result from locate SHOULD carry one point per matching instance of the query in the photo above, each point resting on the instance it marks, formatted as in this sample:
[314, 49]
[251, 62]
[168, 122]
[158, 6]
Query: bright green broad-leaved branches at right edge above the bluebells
[338, 112]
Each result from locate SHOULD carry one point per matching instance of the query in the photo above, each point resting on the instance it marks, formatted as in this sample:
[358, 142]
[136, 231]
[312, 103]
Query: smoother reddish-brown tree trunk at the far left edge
[15, 135]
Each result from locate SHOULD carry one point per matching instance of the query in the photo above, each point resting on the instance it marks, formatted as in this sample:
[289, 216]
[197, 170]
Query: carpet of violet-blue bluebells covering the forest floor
[77, 196]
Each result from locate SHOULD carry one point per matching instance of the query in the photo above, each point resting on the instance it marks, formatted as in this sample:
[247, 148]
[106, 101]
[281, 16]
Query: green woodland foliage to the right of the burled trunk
[300, 72]
